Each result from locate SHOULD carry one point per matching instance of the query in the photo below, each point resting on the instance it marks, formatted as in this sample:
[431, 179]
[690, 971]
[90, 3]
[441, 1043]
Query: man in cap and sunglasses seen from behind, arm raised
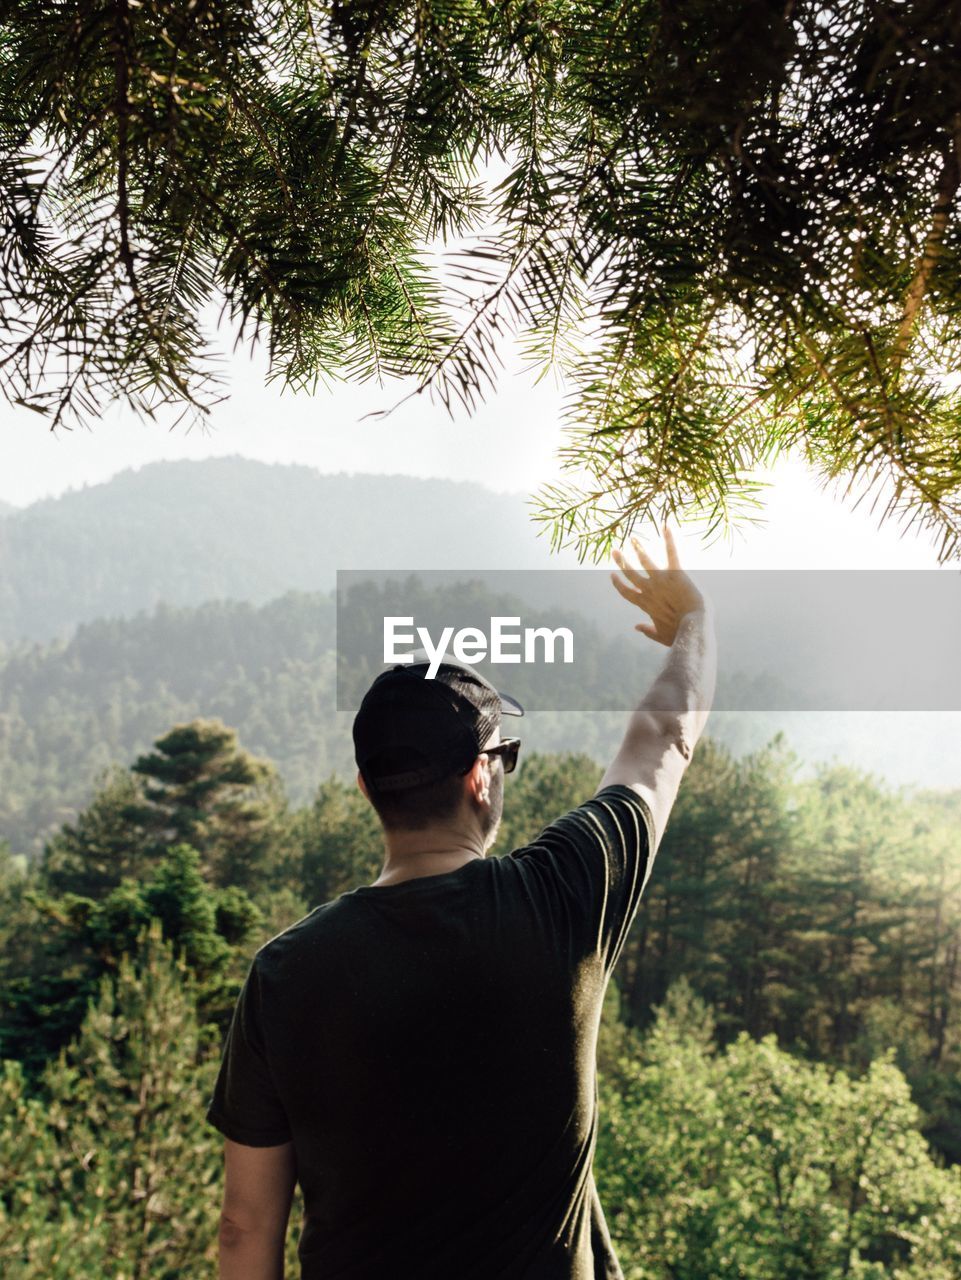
[420, 1053]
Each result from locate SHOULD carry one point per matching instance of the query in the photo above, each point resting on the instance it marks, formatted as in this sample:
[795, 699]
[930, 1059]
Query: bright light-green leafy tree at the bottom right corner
[754, 1165]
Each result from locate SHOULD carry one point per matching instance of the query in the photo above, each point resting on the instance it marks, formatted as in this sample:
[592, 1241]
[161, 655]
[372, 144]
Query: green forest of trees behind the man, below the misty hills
[779, 1058]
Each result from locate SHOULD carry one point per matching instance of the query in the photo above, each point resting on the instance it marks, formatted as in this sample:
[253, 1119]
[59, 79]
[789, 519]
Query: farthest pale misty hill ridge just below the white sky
[184, 533]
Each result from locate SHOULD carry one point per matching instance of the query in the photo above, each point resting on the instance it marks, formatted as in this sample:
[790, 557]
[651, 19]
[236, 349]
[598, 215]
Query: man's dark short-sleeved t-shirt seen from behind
[431, 1050]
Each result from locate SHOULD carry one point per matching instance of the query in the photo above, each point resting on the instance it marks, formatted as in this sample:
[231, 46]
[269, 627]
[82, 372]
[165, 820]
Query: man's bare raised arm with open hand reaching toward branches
[671, 717]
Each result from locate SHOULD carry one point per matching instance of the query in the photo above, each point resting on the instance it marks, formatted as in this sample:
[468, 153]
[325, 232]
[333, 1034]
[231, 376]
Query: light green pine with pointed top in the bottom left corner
[112, 1171]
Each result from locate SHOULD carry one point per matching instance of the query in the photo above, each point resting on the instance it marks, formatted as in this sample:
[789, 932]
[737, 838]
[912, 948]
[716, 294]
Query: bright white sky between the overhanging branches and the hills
[510, 445]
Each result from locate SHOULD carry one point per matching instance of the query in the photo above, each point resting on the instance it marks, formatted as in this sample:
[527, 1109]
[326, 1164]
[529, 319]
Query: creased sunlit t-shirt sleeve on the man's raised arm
[600, 860]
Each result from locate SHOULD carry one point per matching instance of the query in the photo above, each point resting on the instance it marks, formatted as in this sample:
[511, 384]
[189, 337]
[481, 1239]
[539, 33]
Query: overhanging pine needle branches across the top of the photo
[733, 226]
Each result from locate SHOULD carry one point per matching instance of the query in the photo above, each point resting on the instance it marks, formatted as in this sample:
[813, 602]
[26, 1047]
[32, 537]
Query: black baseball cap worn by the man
[411, 730]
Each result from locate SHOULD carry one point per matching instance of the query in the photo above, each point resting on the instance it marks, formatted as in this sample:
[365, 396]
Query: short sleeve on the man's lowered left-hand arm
[245, 1107]
